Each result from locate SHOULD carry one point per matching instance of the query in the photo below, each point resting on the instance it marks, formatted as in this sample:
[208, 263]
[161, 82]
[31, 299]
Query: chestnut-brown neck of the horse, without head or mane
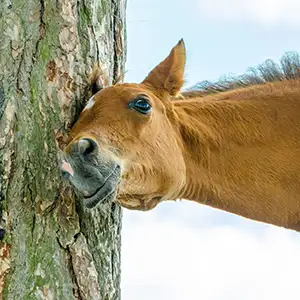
[231, 149]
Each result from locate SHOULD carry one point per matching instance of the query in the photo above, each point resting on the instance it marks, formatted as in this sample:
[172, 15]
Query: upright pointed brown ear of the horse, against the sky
[168, 75]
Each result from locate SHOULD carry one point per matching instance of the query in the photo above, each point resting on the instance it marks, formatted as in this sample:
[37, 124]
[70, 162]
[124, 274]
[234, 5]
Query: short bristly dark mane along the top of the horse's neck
[288, 68]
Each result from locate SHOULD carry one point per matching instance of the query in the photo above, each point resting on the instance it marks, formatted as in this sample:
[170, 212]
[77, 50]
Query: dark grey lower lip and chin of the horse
[106, 192]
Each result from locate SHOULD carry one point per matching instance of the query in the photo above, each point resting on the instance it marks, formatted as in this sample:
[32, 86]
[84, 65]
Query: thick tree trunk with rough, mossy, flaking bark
[53, 248]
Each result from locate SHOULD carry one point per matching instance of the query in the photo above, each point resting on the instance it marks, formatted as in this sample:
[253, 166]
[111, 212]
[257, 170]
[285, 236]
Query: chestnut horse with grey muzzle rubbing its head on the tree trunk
[233, 145]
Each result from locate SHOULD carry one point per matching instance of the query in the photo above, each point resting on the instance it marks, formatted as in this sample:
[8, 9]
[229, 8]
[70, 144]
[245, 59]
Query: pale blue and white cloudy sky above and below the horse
[187, 251]
